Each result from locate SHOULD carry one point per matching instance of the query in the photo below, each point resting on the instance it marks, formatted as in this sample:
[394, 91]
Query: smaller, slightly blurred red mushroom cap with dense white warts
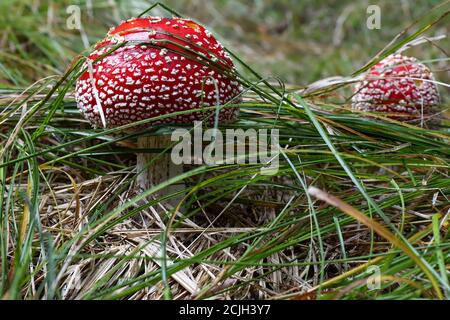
[399, 87]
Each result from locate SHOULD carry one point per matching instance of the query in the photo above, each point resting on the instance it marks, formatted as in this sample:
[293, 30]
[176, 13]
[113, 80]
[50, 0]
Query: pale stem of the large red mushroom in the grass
[161, 168]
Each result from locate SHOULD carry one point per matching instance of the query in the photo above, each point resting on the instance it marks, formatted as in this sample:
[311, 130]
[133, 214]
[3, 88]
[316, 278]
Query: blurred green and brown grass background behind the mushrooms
[298, 41]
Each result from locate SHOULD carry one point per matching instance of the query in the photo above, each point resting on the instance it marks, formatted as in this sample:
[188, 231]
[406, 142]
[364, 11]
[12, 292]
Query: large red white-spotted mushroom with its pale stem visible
[160, 66]
